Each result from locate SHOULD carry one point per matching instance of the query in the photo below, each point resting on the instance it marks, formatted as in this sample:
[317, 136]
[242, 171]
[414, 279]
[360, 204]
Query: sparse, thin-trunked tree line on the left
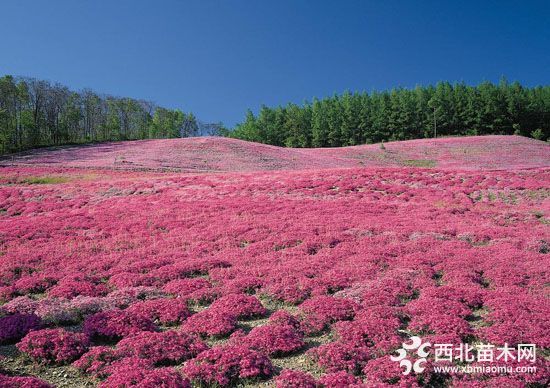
[37, 113]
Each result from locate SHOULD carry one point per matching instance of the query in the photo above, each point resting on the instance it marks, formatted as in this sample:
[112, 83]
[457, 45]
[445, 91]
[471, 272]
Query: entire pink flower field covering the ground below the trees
[141, 270]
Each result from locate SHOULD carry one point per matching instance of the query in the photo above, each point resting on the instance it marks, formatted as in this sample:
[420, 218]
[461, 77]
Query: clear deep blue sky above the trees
[218, 58]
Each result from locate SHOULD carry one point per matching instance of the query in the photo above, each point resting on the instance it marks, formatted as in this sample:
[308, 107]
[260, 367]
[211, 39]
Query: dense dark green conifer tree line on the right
[400, 114]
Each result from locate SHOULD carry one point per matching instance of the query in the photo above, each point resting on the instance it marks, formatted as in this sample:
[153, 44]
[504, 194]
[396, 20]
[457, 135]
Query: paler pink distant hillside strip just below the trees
[211, 154]
